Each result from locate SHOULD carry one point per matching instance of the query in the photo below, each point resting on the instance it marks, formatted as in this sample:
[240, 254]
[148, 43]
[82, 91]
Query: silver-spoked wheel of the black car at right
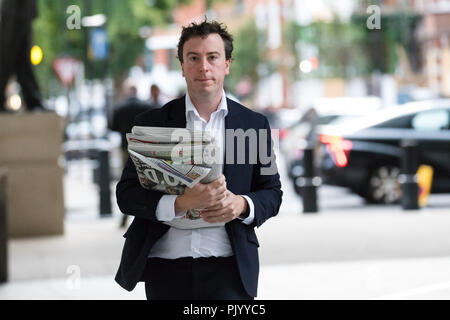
[383, 186]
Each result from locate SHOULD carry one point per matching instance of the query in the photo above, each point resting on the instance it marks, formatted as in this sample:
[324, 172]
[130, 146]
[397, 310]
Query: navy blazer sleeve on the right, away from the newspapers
[266, 191]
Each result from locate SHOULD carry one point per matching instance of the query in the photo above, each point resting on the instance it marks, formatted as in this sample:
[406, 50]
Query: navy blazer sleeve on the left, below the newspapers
[132, 198]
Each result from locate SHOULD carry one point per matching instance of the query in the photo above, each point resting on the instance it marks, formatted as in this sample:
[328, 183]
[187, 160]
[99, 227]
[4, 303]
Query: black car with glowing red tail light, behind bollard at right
[365, 154]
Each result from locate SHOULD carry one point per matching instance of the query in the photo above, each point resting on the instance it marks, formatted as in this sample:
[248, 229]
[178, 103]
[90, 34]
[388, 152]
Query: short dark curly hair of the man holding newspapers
[203, 30]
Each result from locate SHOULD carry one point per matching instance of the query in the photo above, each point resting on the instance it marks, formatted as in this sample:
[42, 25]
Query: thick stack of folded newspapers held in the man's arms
[169, 159]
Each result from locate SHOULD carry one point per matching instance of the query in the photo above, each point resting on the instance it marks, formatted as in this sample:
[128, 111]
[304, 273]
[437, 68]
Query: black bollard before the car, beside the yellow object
[408, 178]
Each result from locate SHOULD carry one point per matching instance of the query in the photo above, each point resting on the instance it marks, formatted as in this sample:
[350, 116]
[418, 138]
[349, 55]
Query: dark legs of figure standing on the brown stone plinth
[15, 45]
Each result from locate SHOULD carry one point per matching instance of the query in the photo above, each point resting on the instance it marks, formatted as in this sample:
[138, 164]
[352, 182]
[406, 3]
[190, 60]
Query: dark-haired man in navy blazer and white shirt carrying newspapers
[206, 263]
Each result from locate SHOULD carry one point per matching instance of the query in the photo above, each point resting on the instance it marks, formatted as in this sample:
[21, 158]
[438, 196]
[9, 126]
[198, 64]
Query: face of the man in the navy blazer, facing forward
[204, 64]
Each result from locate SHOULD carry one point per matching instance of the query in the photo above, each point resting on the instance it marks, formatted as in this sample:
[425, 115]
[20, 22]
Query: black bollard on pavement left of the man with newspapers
[104, 183]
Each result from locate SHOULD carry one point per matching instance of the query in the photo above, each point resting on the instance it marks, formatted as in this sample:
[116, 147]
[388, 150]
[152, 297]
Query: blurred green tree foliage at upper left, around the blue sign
[124, 19]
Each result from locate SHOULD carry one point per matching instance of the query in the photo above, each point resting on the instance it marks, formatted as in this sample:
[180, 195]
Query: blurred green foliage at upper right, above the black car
[348, 49]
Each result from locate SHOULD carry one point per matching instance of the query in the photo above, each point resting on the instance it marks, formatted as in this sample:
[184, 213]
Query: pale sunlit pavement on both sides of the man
[350, 254]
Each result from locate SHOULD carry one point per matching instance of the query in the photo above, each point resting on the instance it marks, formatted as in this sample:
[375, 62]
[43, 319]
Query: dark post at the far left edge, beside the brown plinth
[3, 229]
